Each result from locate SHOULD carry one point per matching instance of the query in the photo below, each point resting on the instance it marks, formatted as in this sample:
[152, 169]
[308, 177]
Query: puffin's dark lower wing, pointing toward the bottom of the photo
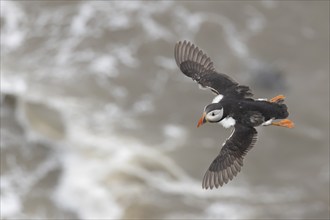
[230, 159]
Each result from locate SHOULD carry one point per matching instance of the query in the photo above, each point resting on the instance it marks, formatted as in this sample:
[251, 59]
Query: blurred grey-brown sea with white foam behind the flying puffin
[98, 122]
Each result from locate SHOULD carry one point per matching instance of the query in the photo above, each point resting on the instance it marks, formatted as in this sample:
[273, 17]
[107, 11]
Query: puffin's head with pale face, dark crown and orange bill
[212, 113]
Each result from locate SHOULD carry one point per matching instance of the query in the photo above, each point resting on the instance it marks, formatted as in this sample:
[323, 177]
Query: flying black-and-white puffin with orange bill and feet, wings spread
[232, 107]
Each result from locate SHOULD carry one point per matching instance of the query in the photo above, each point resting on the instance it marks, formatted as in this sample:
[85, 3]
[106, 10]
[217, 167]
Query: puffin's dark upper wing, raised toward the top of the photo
[195, 64]
